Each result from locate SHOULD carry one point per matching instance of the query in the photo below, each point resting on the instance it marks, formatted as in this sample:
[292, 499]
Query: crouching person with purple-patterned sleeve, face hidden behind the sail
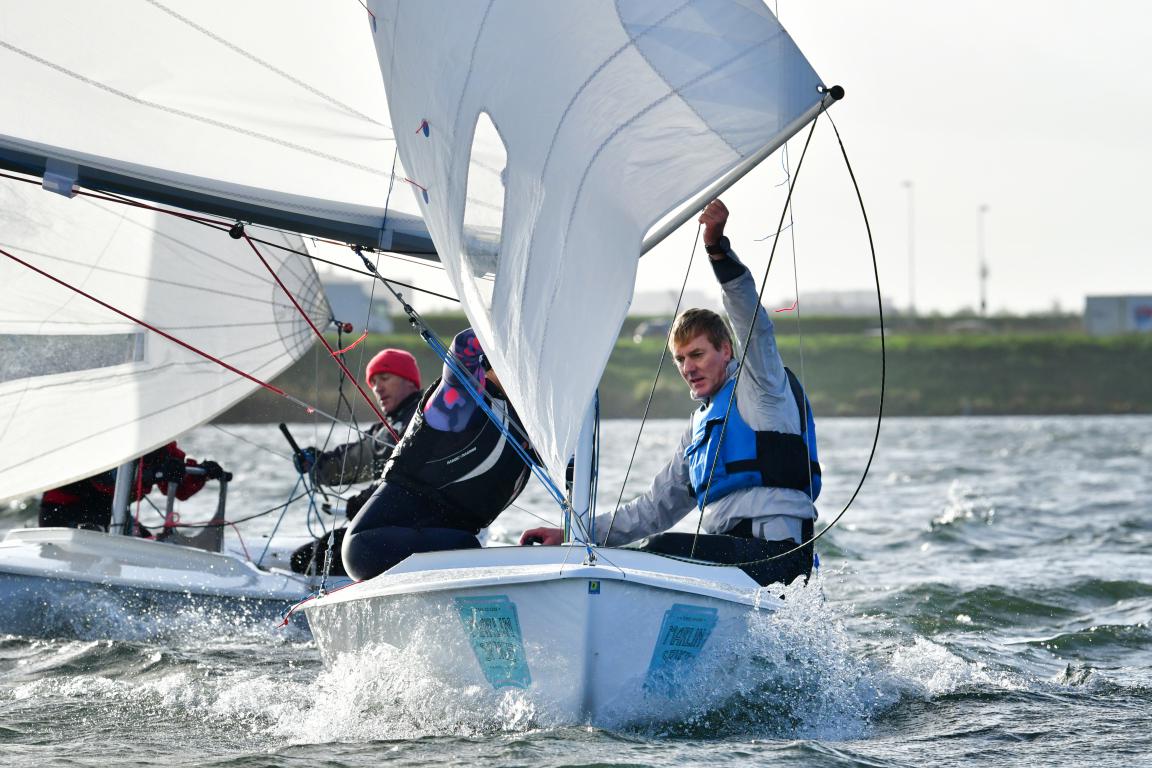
[450, 477]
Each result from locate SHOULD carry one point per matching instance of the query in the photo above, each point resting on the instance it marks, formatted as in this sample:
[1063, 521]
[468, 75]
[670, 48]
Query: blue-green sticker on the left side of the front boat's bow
[494, 632]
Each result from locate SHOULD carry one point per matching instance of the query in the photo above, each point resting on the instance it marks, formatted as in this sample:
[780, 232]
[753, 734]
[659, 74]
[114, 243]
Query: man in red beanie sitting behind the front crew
[396, 378]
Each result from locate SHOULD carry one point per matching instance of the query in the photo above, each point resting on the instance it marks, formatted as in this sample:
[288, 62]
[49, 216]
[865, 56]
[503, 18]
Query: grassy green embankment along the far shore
[937, 367]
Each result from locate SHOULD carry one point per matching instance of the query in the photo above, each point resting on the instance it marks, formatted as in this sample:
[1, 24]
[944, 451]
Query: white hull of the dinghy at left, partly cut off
[75, 582]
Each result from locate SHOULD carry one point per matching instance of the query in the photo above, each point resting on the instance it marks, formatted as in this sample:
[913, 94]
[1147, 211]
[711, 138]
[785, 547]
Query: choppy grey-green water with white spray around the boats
[987, 600]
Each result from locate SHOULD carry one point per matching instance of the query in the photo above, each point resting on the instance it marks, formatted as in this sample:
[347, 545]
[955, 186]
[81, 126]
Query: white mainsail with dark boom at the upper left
[269, 112]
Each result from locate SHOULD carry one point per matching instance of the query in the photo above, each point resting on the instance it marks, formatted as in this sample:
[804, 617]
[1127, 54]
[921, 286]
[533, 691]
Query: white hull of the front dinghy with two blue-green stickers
[633, 637]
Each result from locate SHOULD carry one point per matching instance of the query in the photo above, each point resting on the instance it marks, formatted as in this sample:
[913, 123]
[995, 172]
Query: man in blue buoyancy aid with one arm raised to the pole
[763, 485]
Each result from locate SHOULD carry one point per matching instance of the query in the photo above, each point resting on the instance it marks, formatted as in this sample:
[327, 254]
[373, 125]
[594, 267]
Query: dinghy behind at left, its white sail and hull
[84, 390]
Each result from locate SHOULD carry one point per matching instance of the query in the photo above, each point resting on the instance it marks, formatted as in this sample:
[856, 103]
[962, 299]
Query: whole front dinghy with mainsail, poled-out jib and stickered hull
[544, 147]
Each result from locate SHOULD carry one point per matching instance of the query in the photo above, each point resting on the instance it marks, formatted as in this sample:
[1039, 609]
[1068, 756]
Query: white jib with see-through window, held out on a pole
[558, 135]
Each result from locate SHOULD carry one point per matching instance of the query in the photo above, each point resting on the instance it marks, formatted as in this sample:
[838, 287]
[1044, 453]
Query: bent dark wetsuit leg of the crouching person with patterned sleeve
[384, 534]
